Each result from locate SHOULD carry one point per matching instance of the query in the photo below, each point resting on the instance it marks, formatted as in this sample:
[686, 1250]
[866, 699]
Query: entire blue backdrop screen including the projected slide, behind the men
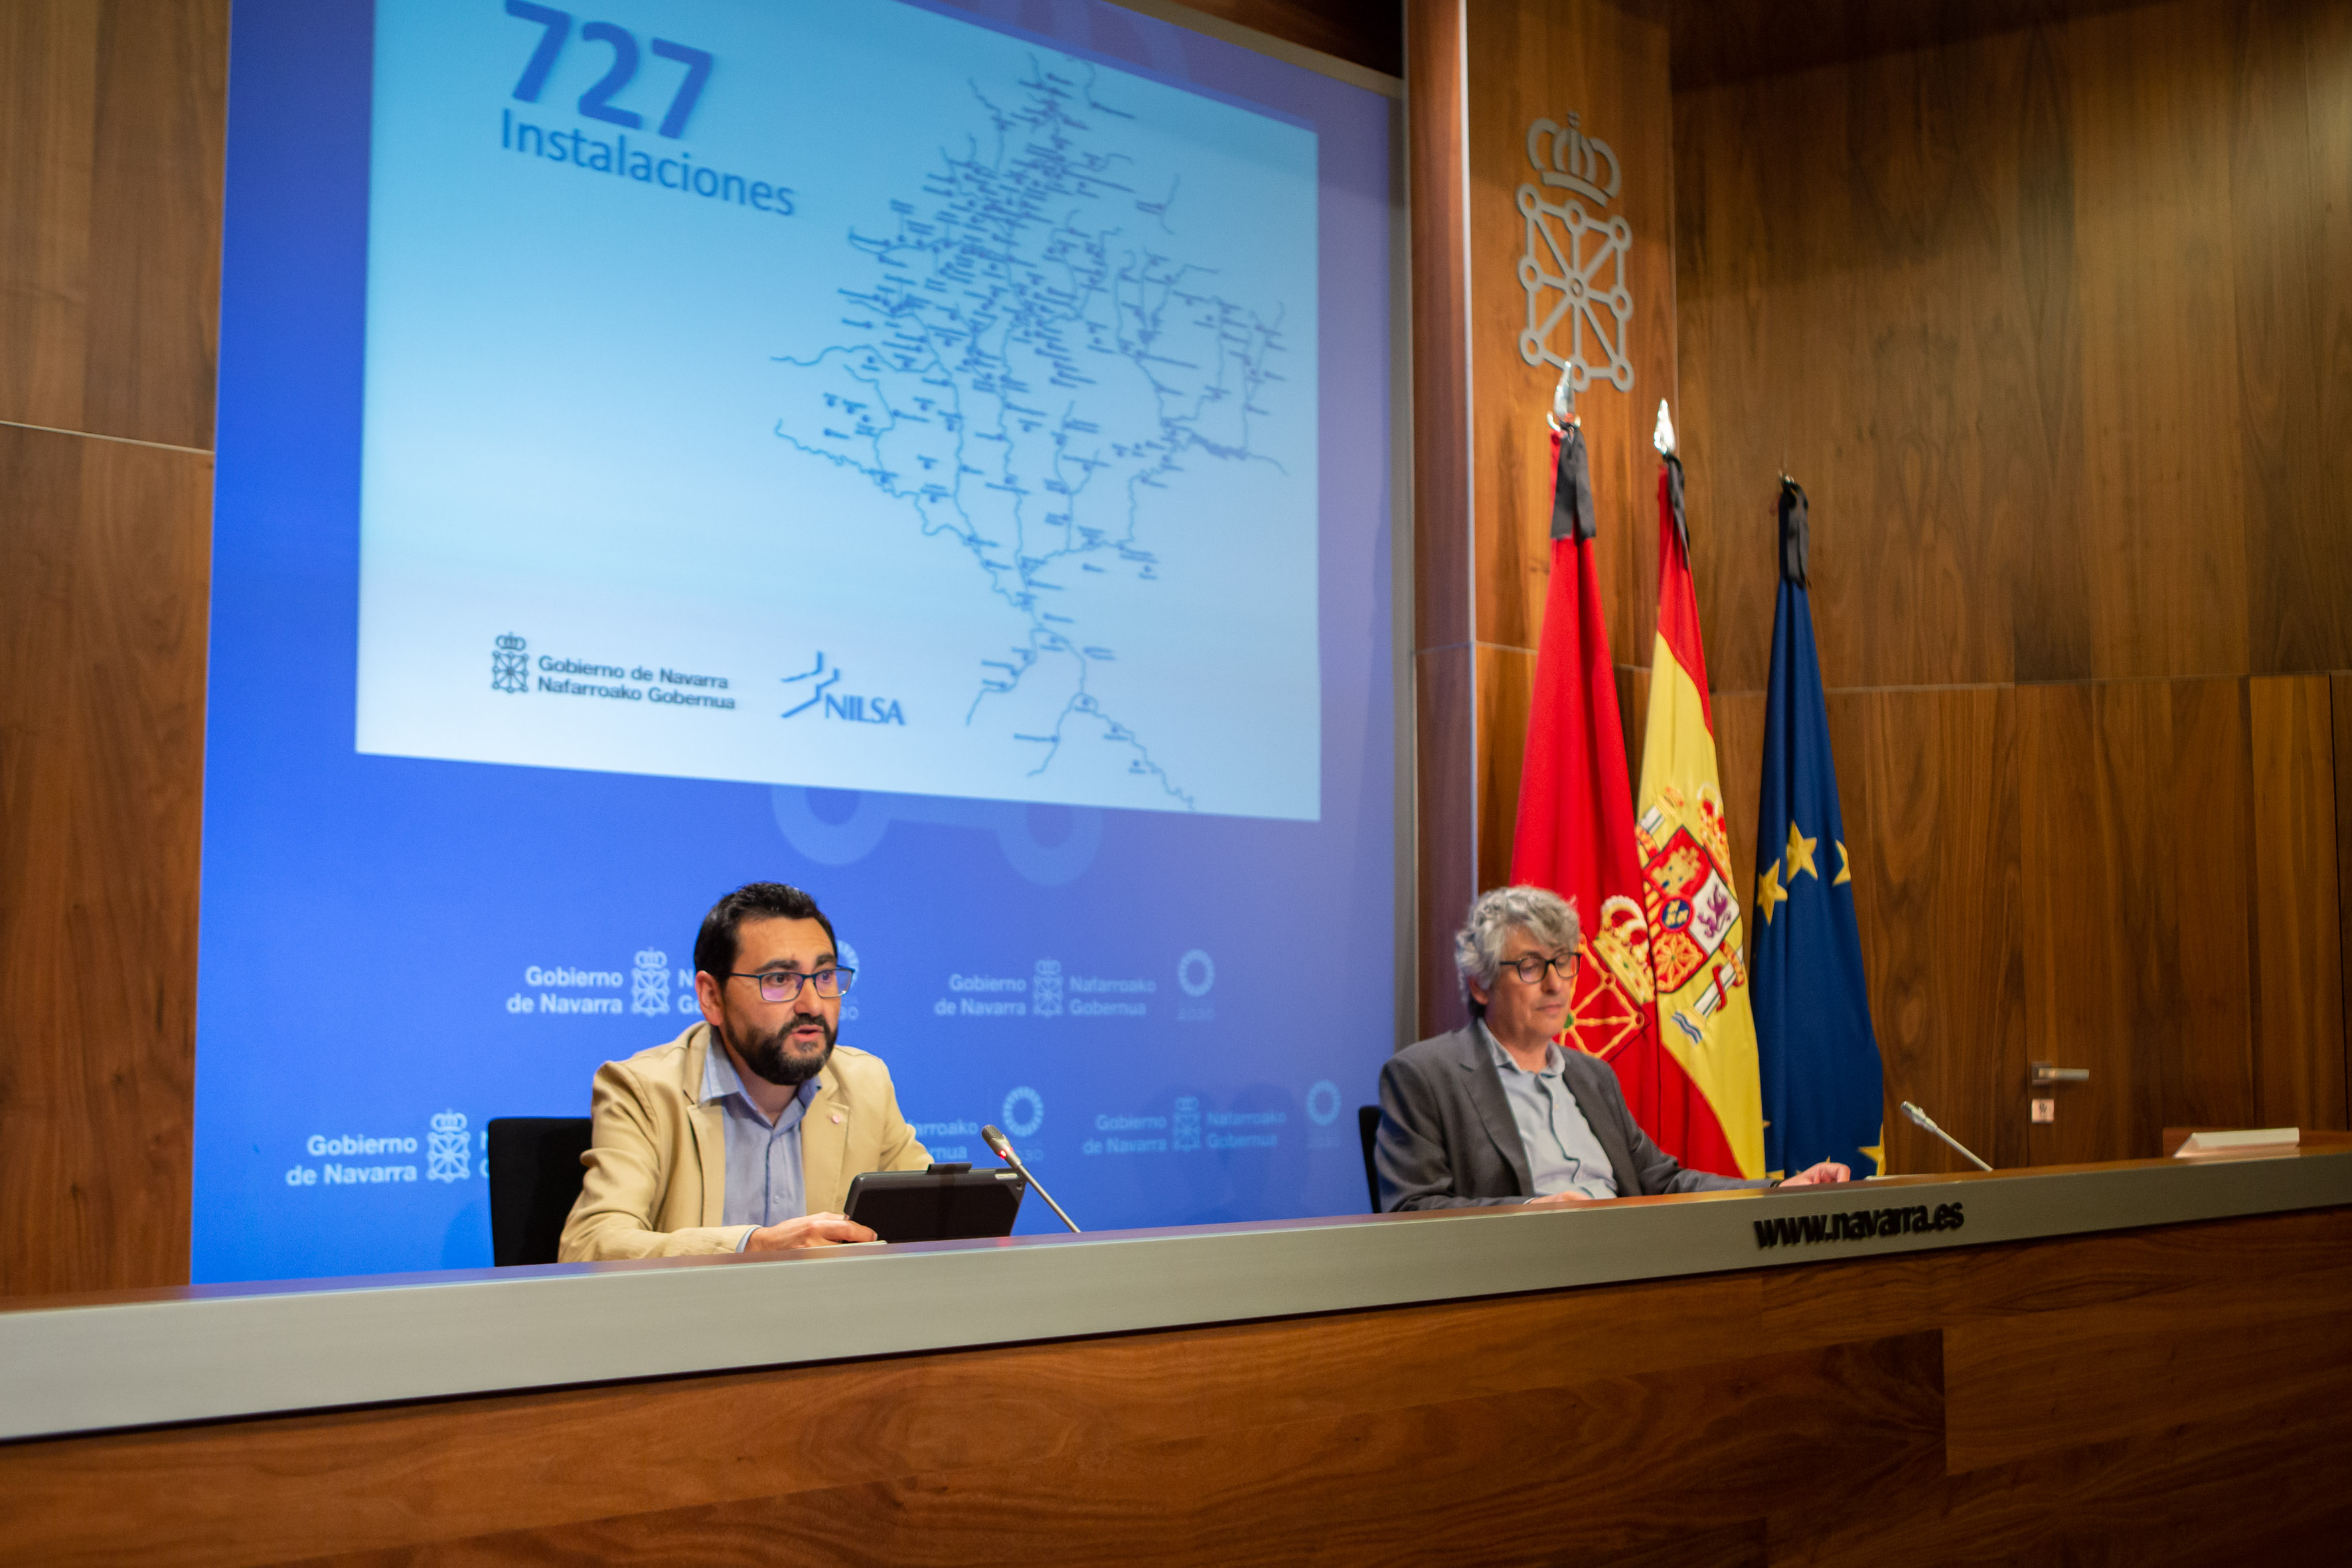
[667, 448]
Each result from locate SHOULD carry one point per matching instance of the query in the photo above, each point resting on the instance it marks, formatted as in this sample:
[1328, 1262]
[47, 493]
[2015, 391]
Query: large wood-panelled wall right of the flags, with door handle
[2050, 307]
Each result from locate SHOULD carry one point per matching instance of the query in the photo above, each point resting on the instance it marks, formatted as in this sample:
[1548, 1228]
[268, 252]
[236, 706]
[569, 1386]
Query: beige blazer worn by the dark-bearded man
[657, 1160]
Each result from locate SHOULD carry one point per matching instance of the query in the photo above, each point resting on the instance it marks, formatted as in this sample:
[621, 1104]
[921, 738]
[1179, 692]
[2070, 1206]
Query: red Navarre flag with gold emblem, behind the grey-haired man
[1577, 810]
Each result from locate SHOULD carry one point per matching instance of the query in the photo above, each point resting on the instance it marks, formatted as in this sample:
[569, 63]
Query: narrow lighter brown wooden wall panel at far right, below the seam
[2299, 1005]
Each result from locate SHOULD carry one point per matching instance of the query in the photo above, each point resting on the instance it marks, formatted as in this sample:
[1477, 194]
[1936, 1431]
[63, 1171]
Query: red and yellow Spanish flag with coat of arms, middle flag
[1692, 902]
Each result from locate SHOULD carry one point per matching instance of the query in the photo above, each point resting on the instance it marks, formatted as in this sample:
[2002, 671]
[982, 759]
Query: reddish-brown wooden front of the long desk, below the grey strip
[2156, 1395]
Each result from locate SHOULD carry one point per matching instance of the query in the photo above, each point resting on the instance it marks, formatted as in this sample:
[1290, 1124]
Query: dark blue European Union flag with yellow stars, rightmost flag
[1824, 1085]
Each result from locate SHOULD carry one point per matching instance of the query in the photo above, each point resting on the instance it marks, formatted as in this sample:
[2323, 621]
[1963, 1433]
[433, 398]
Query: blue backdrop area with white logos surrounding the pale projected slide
[368, 918]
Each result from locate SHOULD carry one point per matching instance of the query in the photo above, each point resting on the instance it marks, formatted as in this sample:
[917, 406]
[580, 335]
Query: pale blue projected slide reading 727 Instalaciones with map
[897, 406]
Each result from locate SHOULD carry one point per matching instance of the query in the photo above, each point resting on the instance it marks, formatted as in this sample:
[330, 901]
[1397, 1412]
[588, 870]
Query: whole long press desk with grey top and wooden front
[2151, 1358]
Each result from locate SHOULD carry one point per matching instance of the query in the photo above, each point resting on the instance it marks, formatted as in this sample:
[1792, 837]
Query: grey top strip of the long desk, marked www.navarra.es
[211, 1353]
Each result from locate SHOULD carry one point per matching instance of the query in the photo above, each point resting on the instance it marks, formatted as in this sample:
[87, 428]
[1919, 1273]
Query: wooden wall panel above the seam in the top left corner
[112, 130]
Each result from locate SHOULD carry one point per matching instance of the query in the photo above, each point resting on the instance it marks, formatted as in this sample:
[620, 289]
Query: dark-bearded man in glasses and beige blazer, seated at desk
[742, 1094]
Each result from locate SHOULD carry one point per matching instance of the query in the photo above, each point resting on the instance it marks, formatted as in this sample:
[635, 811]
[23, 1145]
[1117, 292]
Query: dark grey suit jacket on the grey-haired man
[1448, 1139]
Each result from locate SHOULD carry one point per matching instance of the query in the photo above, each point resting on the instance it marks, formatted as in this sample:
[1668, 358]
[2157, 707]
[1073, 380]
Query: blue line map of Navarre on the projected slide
[1029, 356]
